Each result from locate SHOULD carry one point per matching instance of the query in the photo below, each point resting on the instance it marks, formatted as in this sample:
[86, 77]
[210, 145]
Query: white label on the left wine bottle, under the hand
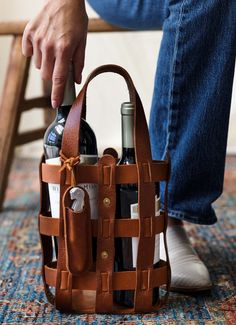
[92, 189]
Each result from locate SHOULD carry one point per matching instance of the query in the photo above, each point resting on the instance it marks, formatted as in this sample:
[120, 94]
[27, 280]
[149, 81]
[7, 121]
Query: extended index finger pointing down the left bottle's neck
[59, 78]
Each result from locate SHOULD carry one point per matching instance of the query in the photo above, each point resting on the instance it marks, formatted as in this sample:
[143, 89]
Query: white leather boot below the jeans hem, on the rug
[188, 272]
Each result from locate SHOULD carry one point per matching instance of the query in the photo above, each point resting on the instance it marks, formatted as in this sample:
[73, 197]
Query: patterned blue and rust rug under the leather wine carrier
[22, 297]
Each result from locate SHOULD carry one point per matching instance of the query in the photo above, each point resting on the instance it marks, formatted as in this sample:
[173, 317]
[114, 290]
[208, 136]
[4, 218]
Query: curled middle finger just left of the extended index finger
[48, 61]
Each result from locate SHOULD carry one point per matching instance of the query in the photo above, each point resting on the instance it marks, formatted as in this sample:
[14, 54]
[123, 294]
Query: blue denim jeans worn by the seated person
[192, 93]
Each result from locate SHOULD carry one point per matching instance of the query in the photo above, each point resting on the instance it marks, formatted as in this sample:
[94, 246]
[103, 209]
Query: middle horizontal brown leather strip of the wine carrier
[123, 227]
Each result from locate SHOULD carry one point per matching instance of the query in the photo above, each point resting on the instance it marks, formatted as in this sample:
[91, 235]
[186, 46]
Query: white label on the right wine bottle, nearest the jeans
[134, 215]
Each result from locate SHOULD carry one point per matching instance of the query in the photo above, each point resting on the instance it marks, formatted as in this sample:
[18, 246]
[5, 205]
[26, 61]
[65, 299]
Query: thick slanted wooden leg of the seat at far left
[13, 93]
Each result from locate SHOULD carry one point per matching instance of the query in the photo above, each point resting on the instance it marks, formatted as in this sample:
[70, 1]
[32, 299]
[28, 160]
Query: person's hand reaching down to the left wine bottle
[54, 37]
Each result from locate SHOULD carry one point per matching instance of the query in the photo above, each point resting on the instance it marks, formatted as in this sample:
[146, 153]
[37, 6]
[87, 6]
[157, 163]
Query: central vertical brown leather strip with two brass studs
[105, 239]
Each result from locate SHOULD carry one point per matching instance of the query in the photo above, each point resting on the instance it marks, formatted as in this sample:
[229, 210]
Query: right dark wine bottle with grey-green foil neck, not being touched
[127, 207]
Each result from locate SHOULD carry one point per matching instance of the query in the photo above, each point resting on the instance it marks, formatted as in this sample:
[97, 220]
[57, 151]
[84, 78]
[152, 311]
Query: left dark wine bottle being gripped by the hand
[87, 145]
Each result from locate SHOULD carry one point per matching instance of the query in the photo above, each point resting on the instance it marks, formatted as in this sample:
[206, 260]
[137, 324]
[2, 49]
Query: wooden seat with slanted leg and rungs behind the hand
[13, 102]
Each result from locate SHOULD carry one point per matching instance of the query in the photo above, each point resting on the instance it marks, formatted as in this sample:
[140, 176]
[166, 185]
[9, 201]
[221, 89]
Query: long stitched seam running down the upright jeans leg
[171, 117]
